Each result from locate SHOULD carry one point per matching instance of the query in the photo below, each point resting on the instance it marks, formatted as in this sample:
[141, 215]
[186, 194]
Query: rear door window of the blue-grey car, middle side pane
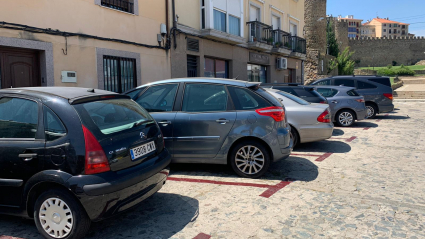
[204, 98]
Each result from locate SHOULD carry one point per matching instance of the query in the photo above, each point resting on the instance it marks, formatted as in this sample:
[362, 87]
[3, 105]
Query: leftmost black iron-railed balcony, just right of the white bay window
[260, 36]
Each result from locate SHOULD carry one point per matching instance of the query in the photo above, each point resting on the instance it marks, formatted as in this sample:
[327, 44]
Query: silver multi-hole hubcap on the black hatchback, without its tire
[56, 218]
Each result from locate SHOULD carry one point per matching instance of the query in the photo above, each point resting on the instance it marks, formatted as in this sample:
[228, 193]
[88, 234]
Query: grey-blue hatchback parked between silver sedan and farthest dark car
[346, 104]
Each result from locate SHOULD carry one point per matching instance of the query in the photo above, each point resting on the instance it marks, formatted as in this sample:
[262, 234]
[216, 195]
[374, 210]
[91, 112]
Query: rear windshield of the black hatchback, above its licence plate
[114, 115]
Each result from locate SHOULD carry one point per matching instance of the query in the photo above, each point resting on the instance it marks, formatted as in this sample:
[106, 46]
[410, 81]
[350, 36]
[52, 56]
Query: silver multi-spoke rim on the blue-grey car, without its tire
[249, 159]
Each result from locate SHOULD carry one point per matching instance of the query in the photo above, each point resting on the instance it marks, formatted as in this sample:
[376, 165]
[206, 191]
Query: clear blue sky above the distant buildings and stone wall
[407, 11]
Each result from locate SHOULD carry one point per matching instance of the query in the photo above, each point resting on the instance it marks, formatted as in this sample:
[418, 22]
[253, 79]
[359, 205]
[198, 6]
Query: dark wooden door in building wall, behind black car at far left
[19, 68]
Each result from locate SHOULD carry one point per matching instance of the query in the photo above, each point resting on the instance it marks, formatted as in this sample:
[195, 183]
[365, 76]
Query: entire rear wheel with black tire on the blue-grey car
[249, 166]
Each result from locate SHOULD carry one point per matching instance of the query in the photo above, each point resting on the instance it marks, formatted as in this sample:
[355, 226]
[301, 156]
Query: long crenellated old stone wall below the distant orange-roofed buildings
[383, 51]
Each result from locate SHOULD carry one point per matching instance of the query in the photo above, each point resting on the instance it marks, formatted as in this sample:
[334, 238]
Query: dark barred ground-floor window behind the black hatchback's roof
[119, 73]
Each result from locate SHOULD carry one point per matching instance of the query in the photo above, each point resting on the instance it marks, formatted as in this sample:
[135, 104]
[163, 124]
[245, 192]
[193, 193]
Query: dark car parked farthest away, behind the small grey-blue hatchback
[376, 91]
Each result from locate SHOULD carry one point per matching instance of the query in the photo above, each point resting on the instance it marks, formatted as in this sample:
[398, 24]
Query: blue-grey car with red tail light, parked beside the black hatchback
[218, 121]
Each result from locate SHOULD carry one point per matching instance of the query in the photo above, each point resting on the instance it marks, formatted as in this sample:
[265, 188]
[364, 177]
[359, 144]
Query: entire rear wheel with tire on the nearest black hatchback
[63, 214]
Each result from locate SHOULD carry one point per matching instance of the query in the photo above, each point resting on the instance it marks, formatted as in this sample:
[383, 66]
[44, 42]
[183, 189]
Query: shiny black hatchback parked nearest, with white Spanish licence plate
[70, 156]
